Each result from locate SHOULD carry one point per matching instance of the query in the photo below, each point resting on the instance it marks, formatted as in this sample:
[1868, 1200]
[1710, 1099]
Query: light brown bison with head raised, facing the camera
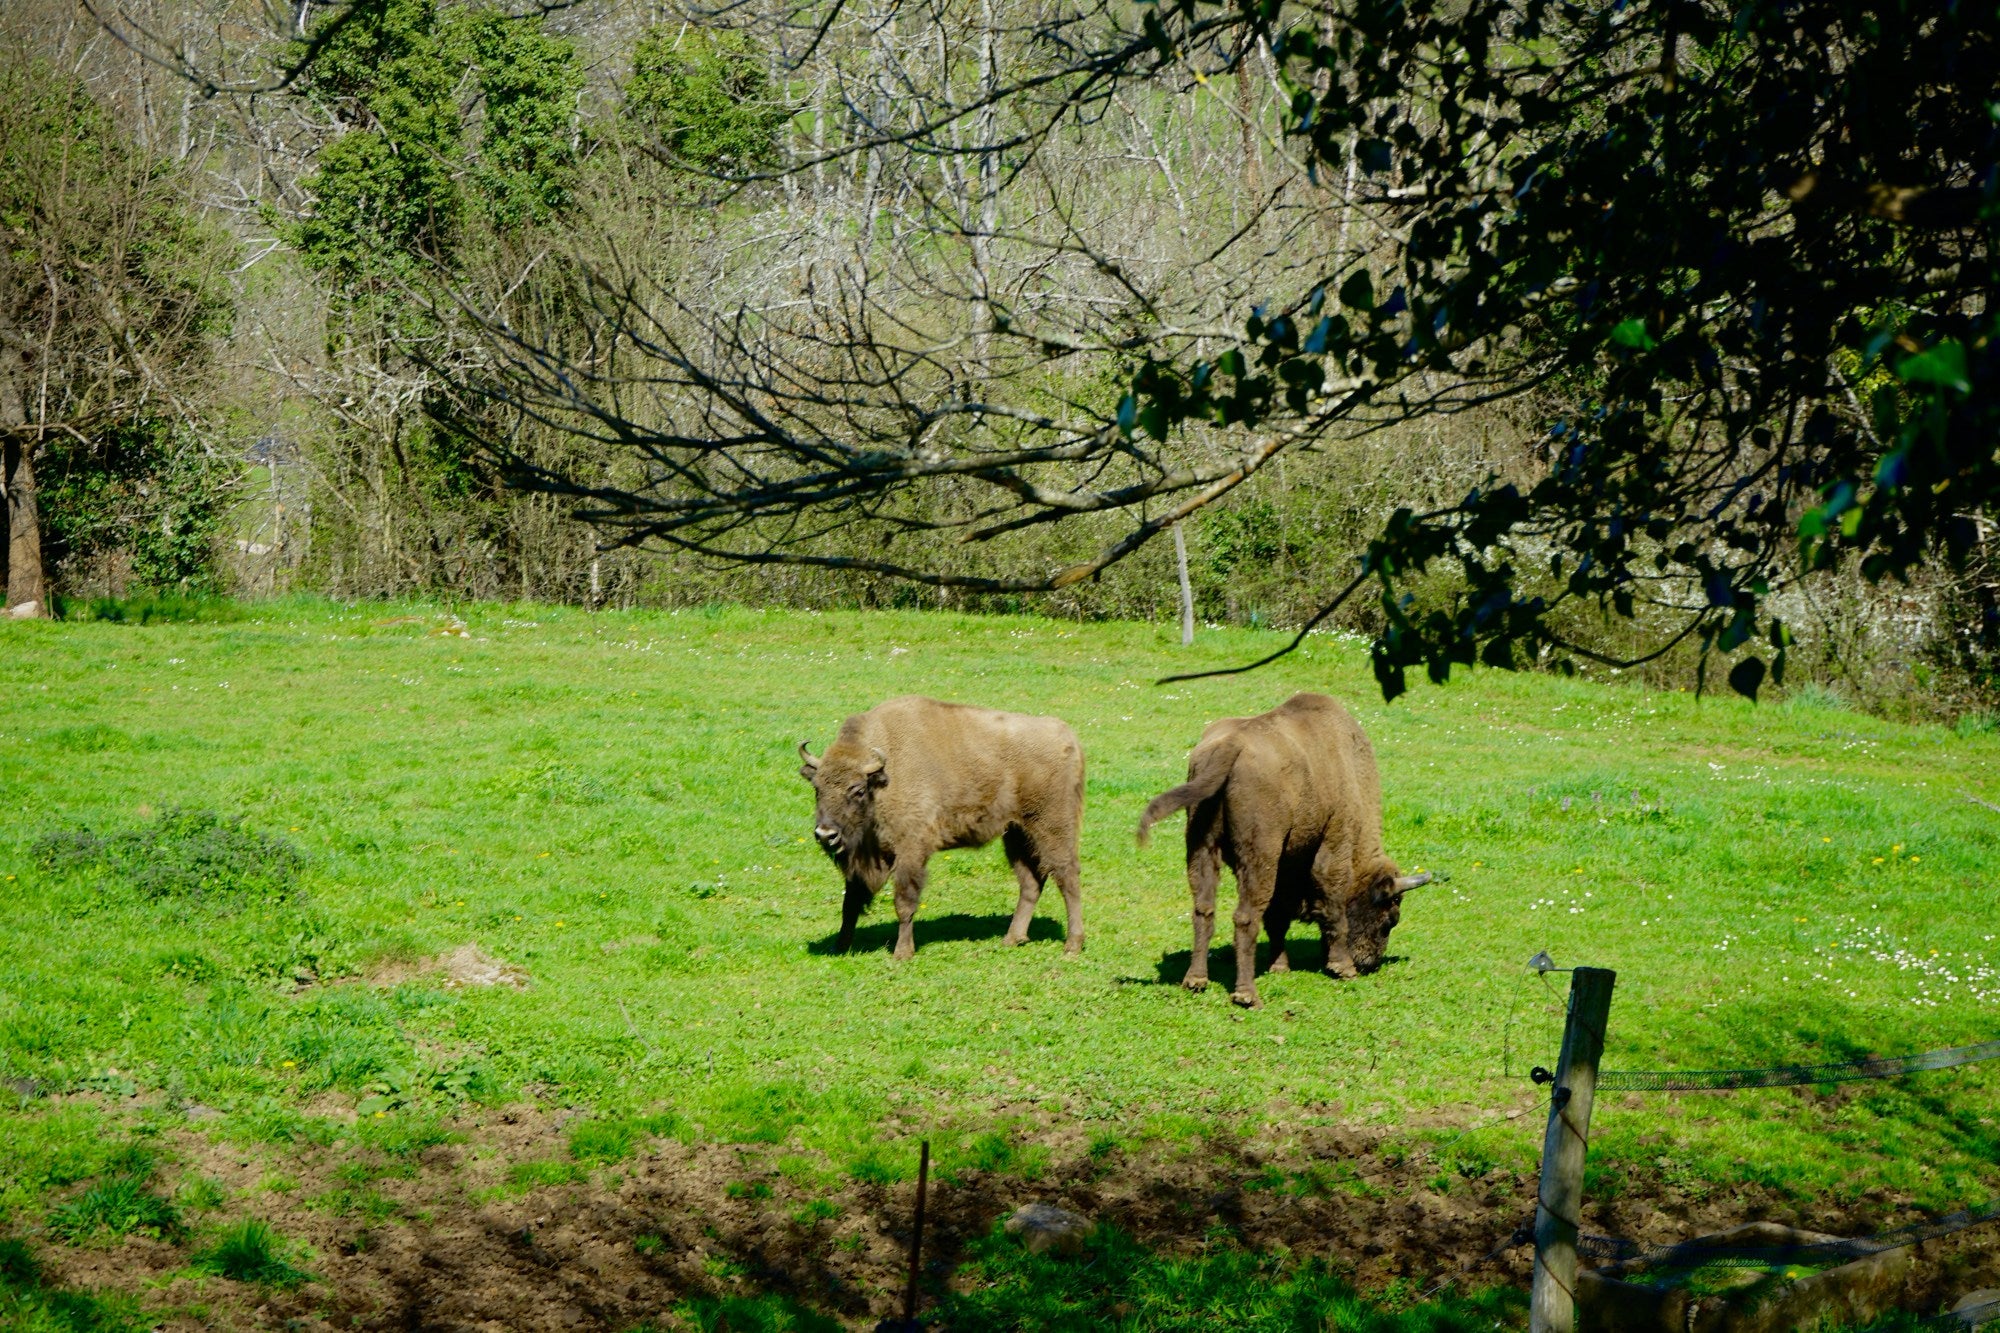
[915, 776]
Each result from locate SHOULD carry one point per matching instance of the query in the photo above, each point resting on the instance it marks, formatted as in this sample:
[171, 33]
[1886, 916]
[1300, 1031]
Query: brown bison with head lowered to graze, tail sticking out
[1293, 804]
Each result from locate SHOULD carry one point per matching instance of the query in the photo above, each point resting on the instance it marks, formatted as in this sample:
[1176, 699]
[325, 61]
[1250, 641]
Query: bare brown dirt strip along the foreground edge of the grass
[455, 1240]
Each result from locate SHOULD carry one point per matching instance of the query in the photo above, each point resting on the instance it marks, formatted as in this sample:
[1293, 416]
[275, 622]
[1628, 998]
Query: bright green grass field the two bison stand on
[613, 806]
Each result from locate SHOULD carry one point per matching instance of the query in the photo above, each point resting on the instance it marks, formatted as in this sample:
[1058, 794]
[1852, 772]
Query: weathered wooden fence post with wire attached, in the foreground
[1559, 1204]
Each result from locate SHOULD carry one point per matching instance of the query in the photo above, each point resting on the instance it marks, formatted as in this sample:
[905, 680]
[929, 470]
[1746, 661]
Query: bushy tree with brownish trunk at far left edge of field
[111, 299]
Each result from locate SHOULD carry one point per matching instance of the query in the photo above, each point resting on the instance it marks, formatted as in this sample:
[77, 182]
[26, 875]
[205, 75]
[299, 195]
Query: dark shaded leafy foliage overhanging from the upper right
[1749, 253]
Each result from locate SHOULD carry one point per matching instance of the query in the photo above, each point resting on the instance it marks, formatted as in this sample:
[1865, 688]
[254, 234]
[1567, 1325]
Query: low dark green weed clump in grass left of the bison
[183, 856]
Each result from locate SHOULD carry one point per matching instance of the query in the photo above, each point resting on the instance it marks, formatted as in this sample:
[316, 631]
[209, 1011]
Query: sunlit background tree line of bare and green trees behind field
[389, 321]
